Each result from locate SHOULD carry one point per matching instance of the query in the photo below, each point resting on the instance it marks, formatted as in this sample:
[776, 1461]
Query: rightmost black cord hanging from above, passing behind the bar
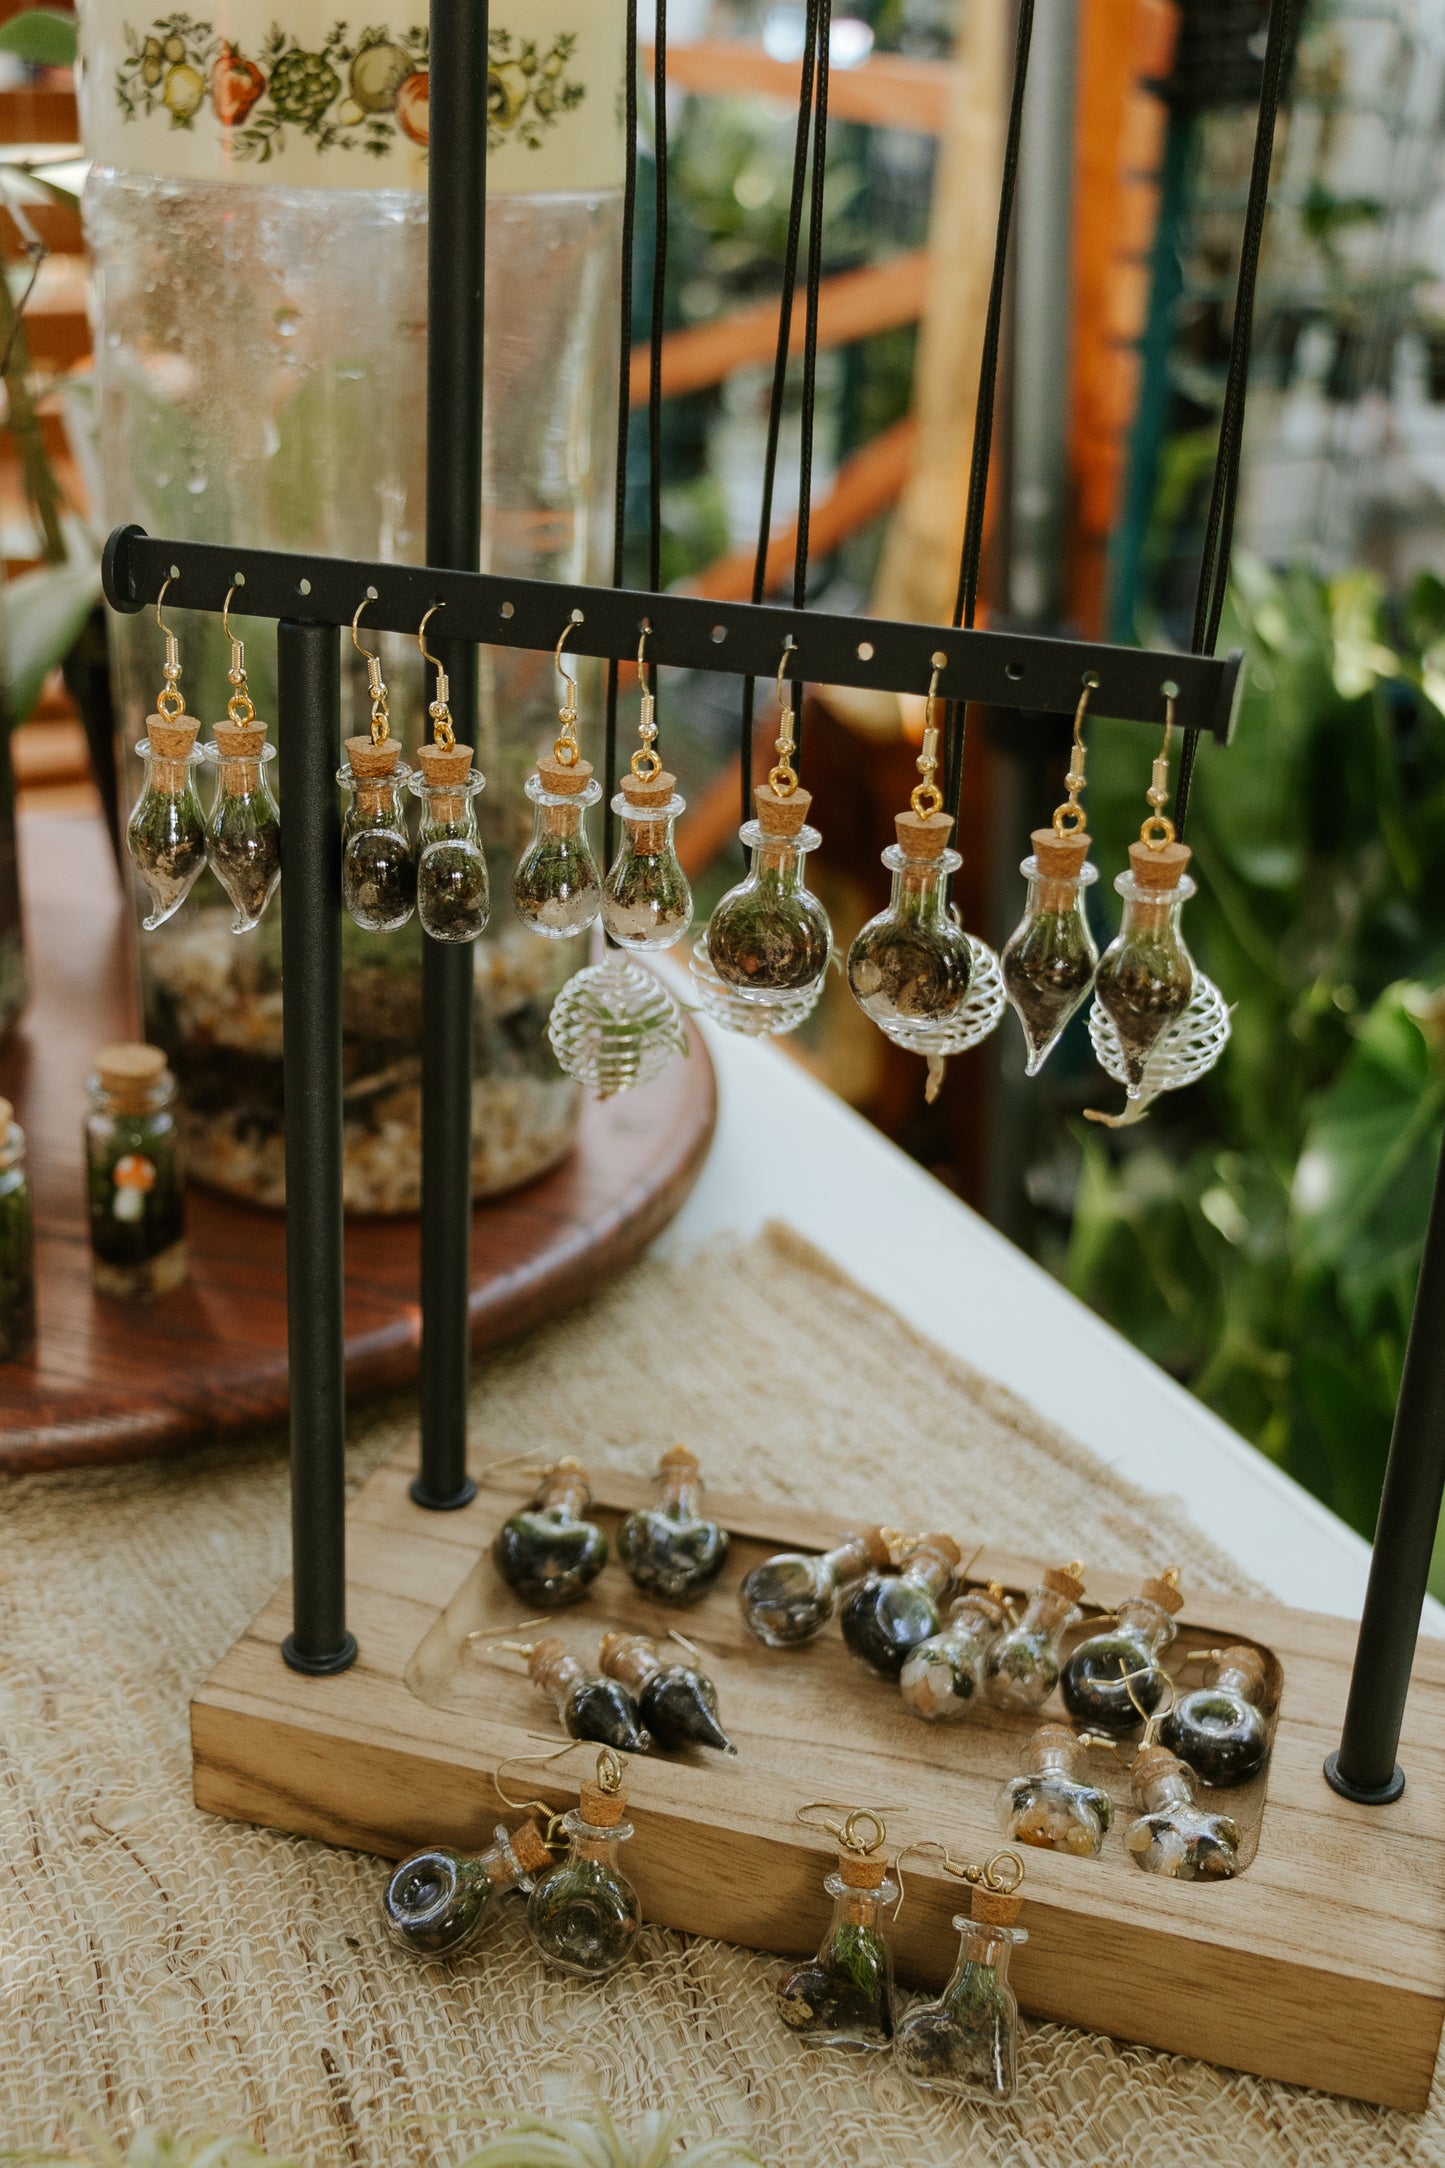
[1225, 495]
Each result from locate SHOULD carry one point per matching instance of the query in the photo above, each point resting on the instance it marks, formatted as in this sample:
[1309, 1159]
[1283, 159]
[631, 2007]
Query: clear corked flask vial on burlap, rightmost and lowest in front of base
[967, 2041]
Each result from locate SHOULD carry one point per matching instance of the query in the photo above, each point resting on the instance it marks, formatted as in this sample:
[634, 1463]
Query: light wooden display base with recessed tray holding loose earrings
[1323, 1963]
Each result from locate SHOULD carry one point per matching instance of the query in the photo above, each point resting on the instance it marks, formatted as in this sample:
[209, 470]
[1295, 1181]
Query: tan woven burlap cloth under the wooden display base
[159, 1965]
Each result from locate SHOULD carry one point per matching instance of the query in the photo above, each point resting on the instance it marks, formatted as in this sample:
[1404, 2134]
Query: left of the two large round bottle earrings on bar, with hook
[761, 964]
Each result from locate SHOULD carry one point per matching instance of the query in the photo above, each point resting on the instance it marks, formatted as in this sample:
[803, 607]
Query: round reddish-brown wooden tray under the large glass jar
[122, 1382]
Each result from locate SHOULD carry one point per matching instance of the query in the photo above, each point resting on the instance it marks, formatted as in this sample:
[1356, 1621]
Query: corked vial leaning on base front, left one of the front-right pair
[844, 1998]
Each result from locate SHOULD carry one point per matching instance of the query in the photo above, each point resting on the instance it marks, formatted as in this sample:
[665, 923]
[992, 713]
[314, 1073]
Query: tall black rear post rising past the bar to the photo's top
[456, 281]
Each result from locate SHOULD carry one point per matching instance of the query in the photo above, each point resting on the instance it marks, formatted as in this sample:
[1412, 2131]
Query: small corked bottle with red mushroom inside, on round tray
[133, 1174]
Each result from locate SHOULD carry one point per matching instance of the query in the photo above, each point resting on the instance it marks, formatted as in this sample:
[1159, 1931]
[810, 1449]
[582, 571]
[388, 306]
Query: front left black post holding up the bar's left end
[309, 730]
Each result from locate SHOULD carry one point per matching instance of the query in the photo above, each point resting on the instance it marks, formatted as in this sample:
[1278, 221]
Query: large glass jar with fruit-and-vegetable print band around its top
[259, 224]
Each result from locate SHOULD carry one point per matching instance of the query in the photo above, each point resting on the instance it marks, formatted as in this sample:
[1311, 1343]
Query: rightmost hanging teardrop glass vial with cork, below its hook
[1147, 977]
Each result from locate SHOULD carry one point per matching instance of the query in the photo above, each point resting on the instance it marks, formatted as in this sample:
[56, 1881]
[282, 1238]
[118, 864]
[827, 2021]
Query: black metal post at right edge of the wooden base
[1366, 1768]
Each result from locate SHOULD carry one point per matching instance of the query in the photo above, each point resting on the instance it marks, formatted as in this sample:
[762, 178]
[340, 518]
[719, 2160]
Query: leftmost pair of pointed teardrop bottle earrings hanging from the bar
[170, 838]
